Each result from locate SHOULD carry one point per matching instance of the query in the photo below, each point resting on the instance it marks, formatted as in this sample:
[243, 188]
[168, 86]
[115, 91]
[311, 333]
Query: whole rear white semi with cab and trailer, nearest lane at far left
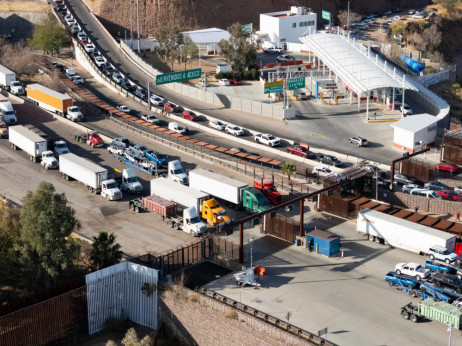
[33, 145]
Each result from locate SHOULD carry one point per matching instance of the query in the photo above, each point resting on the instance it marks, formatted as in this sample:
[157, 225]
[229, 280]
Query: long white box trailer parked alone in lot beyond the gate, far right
[402, 233]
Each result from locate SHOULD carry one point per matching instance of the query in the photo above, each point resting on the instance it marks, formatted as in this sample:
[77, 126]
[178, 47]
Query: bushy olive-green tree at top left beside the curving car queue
[50, 36]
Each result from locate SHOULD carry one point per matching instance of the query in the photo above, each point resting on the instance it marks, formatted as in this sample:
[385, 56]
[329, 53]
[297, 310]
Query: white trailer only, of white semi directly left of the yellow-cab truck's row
[83, 170]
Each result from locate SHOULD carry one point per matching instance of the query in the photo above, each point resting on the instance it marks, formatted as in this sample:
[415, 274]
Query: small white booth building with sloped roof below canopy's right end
[413, 131]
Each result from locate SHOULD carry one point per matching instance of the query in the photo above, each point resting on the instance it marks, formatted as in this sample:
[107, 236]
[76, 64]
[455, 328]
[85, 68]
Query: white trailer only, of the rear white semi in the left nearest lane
[28, 141]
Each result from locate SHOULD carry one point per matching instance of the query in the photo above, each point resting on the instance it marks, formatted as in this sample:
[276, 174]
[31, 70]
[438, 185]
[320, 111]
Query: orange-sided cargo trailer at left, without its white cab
[49, 99]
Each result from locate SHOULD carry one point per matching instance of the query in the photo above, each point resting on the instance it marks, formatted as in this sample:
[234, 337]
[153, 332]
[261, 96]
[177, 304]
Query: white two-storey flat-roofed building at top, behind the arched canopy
[287, 26]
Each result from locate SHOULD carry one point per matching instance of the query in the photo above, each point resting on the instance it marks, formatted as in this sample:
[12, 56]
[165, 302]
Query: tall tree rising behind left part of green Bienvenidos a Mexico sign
[170, 40]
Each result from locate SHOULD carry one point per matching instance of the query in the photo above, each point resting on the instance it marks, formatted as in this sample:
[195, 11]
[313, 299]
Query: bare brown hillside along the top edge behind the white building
[198, 14]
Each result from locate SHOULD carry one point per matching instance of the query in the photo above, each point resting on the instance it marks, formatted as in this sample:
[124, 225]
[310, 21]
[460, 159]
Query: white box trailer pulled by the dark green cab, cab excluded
[217, 185]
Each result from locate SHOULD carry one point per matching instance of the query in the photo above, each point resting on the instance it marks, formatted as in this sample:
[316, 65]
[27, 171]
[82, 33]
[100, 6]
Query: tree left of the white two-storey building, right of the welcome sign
[240, 49]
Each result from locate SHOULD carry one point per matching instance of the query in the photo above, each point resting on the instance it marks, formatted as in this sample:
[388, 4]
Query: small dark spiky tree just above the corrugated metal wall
[105, 252]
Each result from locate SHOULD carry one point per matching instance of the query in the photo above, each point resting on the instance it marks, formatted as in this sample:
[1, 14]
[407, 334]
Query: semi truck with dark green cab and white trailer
[236, 192]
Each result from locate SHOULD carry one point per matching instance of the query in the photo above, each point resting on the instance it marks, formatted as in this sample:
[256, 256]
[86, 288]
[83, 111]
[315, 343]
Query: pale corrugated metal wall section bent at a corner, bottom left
[116, 292]
